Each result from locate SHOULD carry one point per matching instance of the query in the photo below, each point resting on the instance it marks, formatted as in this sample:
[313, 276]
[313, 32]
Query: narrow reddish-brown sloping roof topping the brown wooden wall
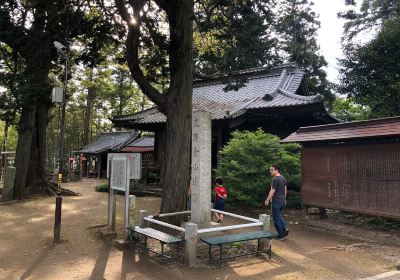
[388, 127]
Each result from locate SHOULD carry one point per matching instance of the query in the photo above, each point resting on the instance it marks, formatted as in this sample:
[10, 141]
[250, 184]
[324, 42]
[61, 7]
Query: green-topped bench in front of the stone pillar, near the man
[247, 236]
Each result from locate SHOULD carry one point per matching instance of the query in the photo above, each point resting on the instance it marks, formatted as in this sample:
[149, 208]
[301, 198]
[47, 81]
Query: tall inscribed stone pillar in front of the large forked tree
[201, 168]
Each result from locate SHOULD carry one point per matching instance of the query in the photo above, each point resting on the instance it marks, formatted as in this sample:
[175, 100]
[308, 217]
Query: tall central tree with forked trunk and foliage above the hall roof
[159, 51]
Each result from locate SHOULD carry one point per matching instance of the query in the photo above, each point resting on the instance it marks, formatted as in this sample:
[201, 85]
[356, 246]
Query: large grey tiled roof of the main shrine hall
[276, 88]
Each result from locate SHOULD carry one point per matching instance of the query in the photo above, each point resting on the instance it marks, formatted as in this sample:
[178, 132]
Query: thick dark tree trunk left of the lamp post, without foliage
[30, 161]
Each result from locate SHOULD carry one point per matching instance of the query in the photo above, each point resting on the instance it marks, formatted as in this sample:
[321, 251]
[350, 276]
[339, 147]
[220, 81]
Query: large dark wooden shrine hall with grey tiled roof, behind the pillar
[276, 100]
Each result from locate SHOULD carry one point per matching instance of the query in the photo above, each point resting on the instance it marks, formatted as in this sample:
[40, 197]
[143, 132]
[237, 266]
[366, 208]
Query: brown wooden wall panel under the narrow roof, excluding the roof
[359, 178]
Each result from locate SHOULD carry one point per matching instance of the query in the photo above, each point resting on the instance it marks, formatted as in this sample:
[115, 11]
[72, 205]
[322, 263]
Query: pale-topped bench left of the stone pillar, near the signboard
[163, 237]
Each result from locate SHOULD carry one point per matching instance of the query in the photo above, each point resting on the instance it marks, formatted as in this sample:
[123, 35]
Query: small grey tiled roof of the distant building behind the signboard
[112, 141]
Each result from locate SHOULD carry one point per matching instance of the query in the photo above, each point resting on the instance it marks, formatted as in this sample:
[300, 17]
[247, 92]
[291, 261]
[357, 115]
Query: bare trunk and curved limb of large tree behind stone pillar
[176, 102]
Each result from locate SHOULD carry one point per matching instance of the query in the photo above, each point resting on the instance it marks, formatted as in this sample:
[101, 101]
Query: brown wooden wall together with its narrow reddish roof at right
[352, 166]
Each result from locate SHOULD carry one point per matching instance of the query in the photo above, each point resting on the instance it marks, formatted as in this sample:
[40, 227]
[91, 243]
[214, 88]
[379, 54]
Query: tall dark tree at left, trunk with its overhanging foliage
[29, 28]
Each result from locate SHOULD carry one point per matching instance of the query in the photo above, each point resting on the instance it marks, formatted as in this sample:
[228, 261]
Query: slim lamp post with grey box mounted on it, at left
[59, 96]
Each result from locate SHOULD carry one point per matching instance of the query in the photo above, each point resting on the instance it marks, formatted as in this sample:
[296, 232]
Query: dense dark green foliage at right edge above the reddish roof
[370, 72]
